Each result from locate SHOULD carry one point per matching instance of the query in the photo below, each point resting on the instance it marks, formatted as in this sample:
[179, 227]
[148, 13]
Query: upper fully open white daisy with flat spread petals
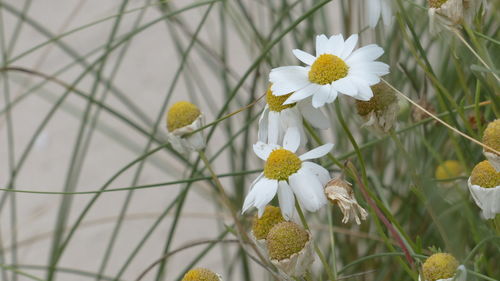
[335, 69]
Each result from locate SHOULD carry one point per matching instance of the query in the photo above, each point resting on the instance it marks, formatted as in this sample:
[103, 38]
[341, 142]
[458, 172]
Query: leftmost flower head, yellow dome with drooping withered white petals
[183, 118]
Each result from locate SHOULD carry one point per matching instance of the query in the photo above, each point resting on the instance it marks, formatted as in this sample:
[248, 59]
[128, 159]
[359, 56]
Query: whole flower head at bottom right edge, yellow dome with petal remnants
[442, 267]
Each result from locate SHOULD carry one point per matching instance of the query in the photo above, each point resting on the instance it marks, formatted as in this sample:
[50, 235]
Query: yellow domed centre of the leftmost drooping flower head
[181, 114]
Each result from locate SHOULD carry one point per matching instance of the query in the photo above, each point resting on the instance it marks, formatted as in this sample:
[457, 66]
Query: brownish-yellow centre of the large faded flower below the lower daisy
[286, 239]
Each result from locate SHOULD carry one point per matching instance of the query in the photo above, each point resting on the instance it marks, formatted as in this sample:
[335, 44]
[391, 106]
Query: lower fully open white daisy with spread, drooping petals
[287, 174]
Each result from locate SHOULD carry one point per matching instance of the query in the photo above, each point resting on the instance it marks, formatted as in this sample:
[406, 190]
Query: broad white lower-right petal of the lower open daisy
[308, 189]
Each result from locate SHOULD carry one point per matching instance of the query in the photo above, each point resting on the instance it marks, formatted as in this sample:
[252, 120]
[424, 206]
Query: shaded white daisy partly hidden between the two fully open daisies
[277, 118]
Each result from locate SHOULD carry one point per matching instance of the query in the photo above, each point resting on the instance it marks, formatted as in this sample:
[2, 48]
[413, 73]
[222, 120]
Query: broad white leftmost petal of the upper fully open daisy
[287, 79]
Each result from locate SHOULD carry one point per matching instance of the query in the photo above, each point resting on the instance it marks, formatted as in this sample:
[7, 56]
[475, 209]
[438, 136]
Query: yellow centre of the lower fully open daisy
[281, 164]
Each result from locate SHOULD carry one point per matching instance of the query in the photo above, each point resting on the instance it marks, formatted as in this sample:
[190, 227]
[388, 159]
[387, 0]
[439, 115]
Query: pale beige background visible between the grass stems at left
[144, 76]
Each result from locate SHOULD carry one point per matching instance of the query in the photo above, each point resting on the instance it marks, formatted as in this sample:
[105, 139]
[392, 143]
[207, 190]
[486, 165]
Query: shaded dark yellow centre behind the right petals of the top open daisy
[383, 97]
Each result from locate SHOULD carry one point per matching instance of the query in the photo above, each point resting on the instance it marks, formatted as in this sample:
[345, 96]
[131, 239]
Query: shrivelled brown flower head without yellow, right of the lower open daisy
[340, 192]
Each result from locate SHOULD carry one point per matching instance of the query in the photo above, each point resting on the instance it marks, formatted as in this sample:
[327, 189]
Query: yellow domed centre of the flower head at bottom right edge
[439, 266]
